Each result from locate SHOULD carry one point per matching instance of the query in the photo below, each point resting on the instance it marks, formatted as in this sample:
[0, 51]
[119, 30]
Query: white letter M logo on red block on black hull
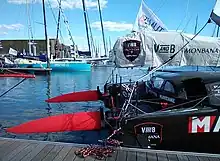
[204, 124]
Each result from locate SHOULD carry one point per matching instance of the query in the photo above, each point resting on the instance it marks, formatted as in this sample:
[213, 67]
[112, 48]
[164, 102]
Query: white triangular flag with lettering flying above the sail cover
[147, 20]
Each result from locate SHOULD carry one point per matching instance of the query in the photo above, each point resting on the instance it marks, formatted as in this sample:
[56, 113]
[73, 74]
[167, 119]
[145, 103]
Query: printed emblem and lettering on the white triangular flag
[145, 21]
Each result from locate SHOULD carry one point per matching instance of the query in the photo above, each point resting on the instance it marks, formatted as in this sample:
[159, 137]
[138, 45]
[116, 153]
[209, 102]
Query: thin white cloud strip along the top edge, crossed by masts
[66, 4]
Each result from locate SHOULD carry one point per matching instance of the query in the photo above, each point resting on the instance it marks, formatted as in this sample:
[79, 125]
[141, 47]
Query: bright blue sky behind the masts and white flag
[118, 17]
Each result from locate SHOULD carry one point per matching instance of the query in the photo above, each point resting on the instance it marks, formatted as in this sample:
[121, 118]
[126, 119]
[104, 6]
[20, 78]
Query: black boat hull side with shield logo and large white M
[190, 131]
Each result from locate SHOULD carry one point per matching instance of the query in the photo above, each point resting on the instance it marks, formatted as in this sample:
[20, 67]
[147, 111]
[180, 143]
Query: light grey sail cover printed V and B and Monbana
[154, 48]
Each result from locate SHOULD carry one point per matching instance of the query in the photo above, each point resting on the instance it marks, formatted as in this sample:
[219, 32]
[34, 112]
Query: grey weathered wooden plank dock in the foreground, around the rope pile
[25, 150]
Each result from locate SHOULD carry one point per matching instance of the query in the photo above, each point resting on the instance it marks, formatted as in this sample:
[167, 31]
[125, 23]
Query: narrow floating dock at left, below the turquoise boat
[36, 71]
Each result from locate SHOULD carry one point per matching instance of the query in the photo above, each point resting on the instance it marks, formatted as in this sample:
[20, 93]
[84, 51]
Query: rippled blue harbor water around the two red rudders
[27, 101]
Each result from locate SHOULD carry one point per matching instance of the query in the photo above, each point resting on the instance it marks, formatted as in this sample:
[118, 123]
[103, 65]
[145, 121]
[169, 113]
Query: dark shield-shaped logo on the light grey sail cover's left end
[131, 49]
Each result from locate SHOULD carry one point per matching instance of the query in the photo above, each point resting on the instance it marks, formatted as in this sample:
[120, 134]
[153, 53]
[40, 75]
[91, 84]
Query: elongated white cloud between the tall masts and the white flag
[112, 26]
